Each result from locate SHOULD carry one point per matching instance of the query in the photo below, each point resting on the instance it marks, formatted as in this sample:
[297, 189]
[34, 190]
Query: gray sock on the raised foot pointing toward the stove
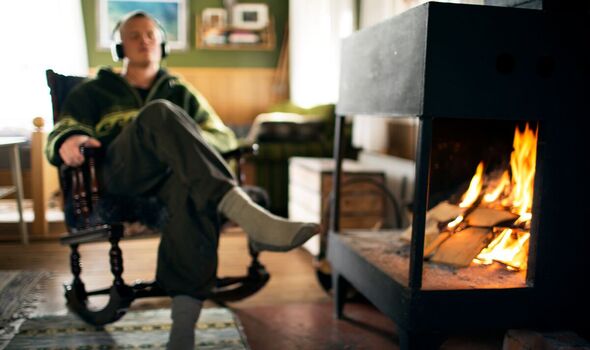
[267, 231]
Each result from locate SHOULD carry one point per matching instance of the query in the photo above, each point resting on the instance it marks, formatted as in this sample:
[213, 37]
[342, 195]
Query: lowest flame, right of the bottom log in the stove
[507, 248]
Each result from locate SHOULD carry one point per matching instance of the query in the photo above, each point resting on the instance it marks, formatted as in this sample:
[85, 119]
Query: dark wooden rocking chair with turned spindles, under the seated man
[85, 207]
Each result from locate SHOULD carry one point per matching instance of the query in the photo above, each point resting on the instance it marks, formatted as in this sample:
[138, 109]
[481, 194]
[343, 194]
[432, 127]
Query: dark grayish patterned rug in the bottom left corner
[19, 293]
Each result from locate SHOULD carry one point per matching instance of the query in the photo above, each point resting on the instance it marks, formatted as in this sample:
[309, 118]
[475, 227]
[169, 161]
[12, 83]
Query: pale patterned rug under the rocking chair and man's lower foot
[218, 328]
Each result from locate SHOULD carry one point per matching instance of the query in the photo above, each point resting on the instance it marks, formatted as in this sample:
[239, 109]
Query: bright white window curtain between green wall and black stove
[316, 28]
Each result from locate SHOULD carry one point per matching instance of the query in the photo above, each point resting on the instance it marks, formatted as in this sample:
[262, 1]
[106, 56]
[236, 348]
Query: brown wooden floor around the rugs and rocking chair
[291, 312]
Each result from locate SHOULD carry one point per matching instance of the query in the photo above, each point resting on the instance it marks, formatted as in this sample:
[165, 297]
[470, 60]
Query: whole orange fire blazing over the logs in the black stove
[512, 191]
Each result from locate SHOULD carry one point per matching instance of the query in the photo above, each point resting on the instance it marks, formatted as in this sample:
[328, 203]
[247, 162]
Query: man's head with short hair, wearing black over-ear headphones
[139, 39]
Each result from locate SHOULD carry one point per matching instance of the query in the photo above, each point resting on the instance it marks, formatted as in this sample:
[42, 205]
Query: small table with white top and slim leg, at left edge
[17, 181]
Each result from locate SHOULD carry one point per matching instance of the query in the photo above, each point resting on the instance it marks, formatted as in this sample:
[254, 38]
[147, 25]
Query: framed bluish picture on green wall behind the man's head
[172, 15]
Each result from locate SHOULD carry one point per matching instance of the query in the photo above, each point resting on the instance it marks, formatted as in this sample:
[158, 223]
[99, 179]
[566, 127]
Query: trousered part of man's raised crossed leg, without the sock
[160, 142]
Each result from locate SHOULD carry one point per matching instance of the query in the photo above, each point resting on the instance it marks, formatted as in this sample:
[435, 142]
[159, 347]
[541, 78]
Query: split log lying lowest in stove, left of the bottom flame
[461, 247]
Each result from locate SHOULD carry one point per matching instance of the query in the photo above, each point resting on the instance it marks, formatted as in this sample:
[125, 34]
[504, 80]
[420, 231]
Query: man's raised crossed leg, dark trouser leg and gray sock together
[172, 141]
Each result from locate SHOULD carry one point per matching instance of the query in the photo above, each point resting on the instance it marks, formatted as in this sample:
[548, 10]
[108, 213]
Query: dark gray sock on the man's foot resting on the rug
[185, 313]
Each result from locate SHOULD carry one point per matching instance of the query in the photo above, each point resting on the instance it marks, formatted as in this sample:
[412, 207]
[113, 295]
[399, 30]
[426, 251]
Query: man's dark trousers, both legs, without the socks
[162, 153]
